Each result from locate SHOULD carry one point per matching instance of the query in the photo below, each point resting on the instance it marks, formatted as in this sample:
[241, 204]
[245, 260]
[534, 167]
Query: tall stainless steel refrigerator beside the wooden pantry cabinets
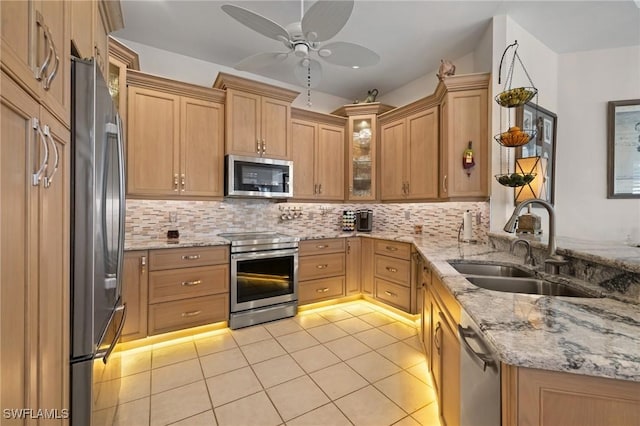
[97, 243]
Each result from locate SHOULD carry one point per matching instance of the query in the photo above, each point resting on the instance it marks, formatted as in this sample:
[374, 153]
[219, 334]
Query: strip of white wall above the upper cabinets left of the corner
[190, 70]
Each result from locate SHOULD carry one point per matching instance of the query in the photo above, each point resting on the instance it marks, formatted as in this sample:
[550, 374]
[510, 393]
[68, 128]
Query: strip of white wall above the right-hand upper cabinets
[425, 85]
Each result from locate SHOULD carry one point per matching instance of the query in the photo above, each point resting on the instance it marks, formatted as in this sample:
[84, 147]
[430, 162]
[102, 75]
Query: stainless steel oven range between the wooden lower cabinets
[264, 277]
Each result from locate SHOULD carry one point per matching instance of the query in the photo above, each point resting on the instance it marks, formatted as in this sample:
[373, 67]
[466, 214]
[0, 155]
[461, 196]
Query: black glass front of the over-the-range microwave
[261, 177]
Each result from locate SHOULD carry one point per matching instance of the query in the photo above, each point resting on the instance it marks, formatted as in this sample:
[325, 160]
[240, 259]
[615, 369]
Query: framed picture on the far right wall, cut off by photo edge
[623, 149]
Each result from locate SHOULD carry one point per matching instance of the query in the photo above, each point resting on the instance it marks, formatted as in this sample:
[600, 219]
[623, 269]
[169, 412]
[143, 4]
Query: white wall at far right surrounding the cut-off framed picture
[587, 81]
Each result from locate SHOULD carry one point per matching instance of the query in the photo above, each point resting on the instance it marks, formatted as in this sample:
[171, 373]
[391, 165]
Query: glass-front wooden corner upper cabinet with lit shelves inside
[361, 149]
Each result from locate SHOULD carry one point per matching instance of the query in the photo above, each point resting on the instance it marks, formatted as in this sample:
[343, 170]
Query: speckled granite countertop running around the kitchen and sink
[589, 336]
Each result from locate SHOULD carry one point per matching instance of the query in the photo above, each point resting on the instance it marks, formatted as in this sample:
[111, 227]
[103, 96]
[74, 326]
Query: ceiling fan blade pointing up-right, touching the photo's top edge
[325, 19]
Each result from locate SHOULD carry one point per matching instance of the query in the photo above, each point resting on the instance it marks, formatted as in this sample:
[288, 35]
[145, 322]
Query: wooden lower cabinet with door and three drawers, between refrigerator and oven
[172, 289]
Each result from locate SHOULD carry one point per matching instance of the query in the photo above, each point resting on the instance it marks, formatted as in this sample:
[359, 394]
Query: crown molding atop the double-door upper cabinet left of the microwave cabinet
[149, 81]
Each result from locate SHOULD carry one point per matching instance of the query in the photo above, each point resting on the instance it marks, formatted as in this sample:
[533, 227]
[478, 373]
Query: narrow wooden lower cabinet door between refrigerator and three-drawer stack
[134, 294]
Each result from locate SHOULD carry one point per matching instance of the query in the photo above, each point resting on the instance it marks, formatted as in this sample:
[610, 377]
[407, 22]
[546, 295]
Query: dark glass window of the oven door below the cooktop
[264, 278]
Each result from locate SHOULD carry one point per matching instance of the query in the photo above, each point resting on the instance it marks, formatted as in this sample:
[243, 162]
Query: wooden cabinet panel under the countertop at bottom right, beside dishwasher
[539, 397]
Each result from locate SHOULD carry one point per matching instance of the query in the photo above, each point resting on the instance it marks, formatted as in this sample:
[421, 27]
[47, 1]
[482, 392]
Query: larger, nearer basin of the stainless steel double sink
[527, 285]
